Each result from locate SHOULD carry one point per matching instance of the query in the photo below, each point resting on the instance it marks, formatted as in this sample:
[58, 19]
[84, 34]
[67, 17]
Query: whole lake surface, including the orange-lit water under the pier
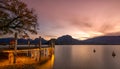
[67, 57]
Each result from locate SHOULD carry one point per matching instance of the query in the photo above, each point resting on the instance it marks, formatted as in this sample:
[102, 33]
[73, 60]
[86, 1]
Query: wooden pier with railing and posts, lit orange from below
[28, 49]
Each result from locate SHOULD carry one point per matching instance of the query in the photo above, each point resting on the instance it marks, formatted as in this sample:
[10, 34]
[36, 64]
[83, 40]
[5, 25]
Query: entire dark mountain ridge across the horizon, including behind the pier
[68, 40]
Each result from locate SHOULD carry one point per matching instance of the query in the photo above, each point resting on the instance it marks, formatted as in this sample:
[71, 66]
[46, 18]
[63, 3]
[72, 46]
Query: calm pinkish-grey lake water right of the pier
[83, 57]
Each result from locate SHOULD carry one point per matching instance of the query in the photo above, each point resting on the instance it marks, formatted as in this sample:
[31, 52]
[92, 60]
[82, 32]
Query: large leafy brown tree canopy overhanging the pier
[15, 16]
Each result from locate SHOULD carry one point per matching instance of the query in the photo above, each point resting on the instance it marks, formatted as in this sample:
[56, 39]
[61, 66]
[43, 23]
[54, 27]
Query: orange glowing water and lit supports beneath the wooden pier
[34, 58]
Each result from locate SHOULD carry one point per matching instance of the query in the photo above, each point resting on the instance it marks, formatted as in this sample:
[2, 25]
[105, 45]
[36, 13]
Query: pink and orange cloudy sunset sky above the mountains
[81, 19]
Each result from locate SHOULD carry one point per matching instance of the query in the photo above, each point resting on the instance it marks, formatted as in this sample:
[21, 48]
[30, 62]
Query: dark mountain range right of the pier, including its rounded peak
[101, 40]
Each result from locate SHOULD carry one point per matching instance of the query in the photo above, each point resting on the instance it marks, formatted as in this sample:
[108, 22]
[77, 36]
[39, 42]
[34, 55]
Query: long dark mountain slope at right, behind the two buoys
[105, 40]
